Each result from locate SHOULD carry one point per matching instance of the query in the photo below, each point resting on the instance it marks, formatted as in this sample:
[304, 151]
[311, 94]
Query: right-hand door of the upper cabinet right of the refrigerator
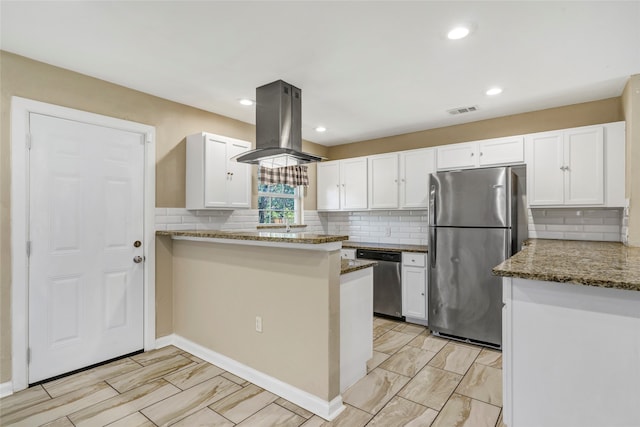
[584, 166]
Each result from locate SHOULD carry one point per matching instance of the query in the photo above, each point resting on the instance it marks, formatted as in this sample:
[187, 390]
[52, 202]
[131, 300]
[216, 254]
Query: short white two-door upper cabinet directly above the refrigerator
[489, 152]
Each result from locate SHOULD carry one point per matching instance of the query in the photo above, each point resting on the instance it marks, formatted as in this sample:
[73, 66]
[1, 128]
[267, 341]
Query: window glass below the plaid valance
[279, 204]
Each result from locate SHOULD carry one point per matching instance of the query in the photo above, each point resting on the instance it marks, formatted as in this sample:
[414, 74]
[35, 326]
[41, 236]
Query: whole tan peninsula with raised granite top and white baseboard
[268, 307]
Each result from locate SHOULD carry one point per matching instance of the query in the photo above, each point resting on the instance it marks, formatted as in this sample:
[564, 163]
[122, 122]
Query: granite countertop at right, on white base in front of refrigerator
[602, 264]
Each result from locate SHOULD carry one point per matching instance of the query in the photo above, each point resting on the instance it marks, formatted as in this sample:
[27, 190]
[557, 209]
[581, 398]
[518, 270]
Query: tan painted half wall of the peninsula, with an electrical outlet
[219, 289]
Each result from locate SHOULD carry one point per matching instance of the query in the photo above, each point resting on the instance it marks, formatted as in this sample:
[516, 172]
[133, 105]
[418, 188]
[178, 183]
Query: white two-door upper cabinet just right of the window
[342, 184]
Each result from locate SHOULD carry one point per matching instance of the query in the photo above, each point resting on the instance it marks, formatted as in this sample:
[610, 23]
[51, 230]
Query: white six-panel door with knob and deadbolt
[86, 213]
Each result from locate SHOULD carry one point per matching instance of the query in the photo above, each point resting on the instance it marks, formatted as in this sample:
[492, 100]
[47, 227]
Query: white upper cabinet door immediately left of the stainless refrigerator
[415, 167]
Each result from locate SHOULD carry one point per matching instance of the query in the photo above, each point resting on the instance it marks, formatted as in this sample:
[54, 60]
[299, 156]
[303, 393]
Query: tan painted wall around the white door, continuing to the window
[35, 80]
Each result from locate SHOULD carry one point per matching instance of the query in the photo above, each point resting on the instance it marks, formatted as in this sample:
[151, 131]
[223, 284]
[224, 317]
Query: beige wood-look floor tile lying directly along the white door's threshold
[92, 376]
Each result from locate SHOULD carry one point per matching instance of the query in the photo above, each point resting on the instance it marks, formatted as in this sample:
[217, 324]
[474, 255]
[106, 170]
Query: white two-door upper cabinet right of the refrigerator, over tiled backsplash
[577, 167]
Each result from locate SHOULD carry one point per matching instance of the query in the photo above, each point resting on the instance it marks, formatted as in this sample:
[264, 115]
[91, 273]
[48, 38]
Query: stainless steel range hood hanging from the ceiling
[278, 127]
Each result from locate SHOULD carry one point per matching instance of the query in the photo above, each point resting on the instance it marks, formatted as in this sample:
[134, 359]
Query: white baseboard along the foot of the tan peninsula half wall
[323, 408]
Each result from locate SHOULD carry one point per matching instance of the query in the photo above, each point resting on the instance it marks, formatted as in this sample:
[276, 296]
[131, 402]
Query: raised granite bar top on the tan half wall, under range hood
[264, 236]
